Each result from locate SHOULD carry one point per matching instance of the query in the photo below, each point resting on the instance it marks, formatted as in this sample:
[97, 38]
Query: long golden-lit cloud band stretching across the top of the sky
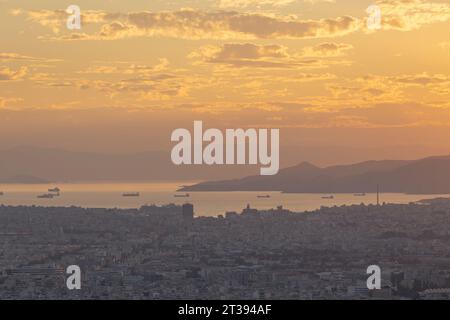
[196, 24]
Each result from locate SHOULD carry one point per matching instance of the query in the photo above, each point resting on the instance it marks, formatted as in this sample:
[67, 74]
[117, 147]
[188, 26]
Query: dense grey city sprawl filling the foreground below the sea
[166, 252]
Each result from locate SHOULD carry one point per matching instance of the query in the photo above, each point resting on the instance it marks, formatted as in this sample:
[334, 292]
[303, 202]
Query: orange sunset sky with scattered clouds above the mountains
[137, 70]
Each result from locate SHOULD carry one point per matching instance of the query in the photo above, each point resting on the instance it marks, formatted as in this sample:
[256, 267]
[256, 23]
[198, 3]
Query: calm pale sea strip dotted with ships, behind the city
[109, 195]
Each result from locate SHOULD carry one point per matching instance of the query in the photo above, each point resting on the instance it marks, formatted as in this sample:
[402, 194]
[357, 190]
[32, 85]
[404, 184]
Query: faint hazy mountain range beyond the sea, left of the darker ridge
[58, 165]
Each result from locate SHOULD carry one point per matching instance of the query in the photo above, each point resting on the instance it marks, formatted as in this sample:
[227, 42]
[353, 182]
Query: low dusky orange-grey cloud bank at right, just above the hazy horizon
[295, 114]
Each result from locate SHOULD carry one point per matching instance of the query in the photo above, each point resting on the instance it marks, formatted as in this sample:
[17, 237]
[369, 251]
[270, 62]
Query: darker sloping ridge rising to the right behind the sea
[425, 176]
